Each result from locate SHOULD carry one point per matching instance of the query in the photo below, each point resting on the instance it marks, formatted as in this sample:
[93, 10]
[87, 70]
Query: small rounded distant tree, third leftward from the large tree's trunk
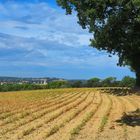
[94, 82]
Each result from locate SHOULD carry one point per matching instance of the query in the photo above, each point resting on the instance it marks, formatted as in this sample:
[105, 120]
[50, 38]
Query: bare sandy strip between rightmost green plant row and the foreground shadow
[112, 128]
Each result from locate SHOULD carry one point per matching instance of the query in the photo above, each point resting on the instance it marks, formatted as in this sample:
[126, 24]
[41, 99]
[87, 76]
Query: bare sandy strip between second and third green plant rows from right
[64, 130]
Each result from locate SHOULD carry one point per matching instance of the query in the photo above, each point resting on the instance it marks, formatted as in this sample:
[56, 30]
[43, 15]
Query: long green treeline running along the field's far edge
[94, 82]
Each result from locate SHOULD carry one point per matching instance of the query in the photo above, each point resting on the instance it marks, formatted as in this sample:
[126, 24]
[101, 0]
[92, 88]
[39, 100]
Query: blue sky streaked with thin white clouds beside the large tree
[37, 39]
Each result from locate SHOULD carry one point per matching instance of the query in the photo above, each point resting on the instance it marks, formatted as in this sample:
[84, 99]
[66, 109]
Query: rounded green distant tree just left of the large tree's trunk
[128, 81]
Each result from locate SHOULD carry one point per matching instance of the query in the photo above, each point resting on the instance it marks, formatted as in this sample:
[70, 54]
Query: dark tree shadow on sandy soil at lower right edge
[130, 118]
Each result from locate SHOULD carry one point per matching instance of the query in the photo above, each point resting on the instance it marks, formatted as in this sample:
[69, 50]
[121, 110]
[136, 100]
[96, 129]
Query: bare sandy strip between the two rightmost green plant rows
[91, 129]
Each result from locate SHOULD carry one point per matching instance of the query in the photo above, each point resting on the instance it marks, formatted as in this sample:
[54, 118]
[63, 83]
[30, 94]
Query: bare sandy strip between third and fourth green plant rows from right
[54, 126]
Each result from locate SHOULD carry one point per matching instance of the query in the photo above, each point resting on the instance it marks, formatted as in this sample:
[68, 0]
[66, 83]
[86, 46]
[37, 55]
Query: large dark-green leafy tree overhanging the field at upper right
[115, 25]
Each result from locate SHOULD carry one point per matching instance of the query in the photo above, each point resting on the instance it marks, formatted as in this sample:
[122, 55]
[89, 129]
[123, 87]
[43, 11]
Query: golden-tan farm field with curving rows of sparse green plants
[67, 114]
